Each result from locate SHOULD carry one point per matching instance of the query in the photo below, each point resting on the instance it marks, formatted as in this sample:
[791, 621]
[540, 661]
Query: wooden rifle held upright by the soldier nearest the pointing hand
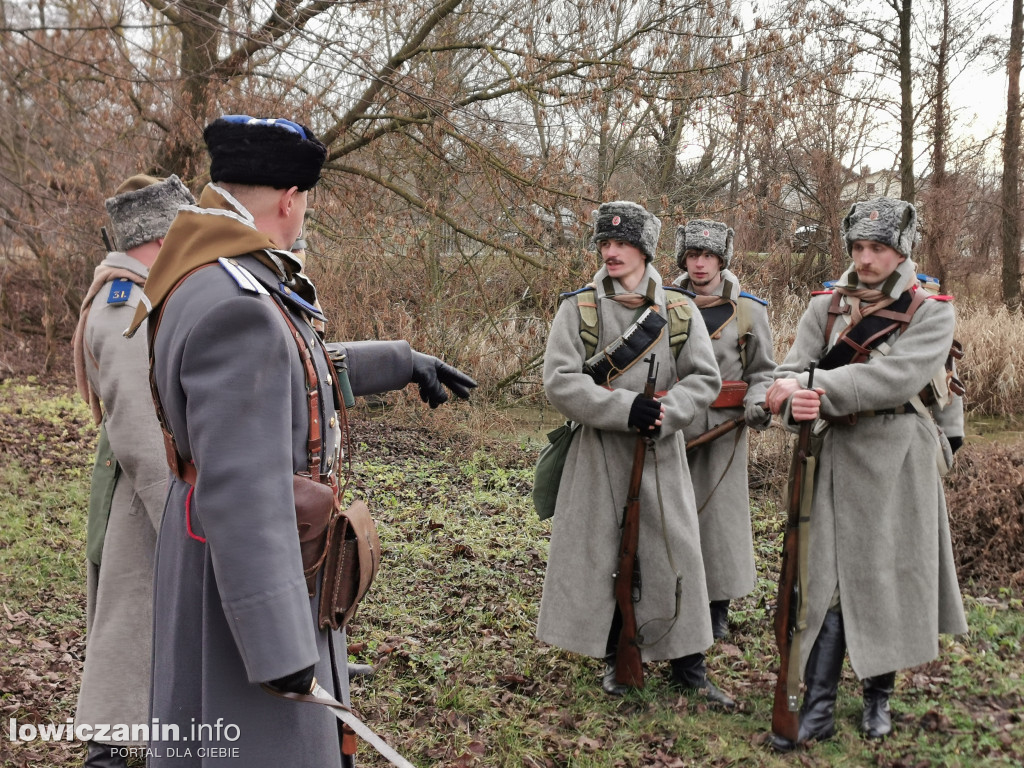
[629, 665]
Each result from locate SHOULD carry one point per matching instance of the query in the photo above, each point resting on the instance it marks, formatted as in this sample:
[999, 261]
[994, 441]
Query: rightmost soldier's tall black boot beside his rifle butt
[818, 715]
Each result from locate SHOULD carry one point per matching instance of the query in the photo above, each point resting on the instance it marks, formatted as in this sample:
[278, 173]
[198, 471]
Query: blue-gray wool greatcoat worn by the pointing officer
[231, 607]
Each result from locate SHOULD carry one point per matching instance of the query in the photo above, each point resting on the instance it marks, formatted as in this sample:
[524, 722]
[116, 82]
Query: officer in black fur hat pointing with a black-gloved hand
[247, 394]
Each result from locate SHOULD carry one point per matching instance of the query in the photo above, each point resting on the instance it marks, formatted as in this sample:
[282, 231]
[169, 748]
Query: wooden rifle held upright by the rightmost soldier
[785, 721]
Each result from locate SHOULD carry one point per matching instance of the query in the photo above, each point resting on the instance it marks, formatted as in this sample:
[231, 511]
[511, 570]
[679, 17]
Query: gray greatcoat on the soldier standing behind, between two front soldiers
[718, 470]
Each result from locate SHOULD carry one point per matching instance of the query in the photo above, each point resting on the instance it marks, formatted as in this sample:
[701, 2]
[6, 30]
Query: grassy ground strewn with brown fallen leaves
[461, 680]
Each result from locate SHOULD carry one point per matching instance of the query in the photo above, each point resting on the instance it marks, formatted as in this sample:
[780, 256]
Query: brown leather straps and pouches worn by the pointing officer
[340, 543]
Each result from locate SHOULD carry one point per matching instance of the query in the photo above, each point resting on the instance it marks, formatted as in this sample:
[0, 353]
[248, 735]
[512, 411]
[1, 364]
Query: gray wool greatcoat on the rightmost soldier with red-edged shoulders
[879, 530]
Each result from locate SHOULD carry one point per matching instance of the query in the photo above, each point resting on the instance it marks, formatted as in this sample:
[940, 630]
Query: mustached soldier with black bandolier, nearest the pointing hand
[578, 608]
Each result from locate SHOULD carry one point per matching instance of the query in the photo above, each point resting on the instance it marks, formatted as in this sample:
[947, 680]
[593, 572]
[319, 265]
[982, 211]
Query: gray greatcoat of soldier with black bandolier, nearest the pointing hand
[578, 603]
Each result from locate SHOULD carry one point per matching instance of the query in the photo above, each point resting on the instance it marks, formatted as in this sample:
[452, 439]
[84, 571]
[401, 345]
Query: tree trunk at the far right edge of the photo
[1011, 166]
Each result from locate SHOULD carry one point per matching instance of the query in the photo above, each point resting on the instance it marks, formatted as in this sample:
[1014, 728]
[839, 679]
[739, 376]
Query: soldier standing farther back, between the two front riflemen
[738, 323]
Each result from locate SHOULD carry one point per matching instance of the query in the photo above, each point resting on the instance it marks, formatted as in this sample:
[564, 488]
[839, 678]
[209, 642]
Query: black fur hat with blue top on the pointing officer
[264, 152]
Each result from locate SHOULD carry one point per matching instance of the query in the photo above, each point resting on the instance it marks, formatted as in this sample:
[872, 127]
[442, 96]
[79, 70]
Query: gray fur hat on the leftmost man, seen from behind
[144, 207]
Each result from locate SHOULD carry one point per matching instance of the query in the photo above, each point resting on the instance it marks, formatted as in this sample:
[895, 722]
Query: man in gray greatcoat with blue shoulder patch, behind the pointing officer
[131, 476]
